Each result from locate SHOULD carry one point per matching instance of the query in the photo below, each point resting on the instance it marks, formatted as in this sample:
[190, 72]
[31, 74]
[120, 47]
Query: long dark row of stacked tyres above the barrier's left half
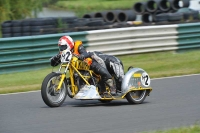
[41, 26]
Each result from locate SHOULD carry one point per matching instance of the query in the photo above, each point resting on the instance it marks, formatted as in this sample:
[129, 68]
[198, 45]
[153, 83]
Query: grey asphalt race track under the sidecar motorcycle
[174, 102]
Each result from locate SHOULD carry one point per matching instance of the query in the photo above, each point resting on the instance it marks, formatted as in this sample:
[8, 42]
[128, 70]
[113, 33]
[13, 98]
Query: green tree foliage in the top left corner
[19, 9]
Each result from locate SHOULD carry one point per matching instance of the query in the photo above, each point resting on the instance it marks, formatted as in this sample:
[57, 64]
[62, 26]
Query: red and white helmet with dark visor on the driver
[65, 42]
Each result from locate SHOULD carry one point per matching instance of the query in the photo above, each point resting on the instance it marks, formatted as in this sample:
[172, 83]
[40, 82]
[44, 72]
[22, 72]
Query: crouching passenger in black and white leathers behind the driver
[112, 64]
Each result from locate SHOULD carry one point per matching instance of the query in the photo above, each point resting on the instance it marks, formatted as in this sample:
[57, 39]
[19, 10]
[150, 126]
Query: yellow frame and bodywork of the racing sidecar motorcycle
[78, 65]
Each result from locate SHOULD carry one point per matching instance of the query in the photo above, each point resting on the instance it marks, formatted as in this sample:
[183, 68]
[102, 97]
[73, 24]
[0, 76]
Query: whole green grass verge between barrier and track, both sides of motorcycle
[155, 64]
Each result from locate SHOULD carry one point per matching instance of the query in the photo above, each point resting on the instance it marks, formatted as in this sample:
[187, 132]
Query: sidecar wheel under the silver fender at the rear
[136, 97]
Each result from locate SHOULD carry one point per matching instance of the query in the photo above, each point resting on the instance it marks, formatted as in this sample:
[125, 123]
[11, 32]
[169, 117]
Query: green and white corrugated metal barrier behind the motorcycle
[33, 52]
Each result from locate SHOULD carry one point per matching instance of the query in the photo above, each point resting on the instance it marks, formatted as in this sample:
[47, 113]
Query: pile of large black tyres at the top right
[170, 9]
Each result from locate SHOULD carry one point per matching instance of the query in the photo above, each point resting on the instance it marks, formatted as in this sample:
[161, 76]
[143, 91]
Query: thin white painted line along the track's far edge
[151, 79]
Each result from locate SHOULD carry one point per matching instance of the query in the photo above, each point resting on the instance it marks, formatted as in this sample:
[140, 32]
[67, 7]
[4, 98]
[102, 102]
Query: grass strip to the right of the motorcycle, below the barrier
[165, 64]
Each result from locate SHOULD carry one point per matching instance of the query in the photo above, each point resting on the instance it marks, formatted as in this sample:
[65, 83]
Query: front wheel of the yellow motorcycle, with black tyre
[51, 96]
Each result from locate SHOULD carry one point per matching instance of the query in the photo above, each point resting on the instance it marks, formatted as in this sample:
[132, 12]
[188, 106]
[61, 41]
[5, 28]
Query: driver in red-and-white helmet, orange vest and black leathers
[66, 42]
